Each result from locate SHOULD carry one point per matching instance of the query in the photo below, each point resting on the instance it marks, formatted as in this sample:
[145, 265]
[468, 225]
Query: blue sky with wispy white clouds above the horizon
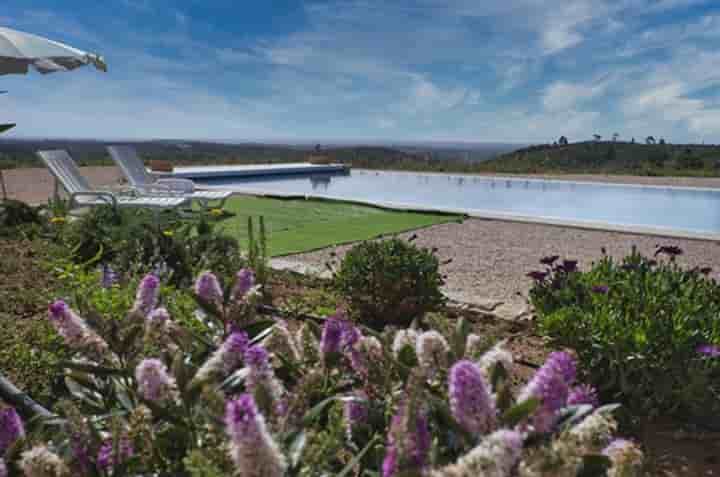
[460, 70]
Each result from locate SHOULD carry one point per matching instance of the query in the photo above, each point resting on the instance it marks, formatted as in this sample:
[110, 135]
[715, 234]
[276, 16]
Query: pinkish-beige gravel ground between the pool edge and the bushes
[490, 258]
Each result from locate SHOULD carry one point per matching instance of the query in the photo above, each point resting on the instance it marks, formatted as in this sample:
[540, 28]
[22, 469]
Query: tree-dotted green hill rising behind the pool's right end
[610, 158]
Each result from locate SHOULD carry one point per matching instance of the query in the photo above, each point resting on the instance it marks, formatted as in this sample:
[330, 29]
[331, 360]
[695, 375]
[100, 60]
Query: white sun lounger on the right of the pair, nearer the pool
[139, 178]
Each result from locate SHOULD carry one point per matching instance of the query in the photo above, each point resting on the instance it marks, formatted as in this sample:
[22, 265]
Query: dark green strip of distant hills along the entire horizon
[576, 158]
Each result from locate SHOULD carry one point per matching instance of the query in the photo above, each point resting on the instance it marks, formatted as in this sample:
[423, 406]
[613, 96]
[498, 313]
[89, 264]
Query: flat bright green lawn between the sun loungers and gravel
[295, 226]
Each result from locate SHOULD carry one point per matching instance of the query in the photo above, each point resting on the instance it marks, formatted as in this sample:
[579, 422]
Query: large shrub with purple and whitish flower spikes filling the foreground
[261, 398]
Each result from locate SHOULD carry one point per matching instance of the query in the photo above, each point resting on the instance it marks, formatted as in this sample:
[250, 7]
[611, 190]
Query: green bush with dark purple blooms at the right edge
[637, 326]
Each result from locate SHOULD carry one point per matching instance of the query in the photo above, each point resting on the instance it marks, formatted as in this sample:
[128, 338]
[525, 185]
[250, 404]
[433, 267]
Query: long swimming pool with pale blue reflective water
[680, 211]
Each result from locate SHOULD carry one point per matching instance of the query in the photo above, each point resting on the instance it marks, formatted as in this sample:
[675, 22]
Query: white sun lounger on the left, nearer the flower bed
[63, 167]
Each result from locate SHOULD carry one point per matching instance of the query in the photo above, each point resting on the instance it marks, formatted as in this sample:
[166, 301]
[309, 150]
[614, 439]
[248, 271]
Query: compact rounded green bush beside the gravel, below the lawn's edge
[390, 282]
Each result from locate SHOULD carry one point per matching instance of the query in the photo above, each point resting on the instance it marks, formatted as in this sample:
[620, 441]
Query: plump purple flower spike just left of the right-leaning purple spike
[471, 404]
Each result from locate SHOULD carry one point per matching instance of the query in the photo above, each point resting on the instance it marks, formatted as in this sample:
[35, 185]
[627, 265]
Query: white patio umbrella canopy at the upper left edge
[19, 51]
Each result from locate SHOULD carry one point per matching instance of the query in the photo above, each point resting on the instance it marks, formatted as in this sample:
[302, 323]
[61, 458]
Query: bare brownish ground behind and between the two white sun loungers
[36, 185]
